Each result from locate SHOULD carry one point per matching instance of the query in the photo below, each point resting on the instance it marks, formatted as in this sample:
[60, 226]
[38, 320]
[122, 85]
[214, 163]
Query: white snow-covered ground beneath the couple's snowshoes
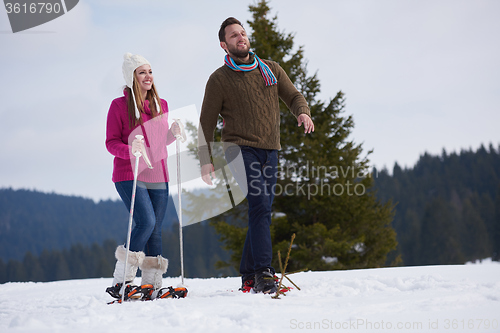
[462, 298]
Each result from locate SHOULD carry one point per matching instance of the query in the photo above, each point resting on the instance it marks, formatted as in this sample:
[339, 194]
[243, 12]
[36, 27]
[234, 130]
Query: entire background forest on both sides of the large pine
[446, 211]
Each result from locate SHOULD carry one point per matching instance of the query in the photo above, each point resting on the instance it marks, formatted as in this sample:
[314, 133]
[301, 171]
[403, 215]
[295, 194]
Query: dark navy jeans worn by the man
[261, 166]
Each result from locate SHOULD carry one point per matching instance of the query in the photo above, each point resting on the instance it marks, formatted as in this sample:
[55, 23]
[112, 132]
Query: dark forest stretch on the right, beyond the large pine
[447, 207]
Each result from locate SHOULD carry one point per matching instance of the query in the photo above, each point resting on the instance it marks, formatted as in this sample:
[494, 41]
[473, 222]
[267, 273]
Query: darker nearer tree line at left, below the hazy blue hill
[201, 251]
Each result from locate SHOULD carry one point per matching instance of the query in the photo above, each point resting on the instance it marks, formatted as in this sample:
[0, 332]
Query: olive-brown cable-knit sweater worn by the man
[250, 109]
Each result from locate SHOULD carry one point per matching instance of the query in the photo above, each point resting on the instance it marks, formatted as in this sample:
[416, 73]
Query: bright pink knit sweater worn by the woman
[119, 137]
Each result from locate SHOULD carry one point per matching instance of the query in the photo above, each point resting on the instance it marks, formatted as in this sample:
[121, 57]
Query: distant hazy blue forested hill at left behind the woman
[32, 221]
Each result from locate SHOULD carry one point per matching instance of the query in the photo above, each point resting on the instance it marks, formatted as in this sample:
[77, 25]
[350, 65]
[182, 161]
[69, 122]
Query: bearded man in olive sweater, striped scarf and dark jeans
[245, 92]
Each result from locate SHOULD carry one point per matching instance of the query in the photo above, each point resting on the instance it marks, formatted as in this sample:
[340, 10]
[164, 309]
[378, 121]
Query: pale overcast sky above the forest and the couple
[419, 76]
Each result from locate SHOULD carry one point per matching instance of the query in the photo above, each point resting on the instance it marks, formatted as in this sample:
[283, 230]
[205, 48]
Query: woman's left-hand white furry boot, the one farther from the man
[135, 259]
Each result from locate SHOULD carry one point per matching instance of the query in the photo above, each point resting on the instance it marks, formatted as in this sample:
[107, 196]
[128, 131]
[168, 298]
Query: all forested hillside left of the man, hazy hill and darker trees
[47, 237]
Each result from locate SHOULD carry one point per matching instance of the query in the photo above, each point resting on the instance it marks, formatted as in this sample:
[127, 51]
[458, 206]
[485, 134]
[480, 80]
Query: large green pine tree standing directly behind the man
[324, 192]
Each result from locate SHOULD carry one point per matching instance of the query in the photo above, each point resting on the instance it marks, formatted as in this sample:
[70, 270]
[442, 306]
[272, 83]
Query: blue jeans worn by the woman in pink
[150, 206]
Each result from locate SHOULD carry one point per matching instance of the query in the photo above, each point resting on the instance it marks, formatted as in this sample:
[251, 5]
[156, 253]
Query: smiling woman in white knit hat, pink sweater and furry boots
[140, 111]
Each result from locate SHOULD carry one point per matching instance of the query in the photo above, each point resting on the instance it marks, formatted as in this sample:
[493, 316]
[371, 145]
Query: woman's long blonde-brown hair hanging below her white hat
[151, 95]
